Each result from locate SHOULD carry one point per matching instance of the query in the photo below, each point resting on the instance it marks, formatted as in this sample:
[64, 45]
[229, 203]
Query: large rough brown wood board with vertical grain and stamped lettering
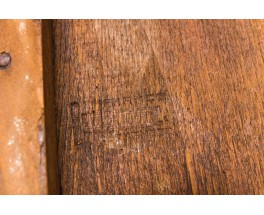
[160, 106]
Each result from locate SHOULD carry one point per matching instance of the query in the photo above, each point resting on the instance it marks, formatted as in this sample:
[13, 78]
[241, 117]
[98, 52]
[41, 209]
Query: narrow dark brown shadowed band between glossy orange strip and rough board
[51, 155]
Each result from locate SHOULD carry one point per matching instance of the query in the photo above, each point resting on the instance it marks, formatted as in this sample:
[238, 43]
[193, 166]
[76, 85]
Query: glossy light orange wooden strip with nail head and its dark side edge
[23, 144]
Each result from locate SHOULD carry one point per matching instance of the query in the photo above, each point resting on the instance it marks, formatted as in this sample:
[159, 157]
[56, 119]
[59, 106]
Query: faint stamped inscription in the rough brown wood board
[112, 119]
